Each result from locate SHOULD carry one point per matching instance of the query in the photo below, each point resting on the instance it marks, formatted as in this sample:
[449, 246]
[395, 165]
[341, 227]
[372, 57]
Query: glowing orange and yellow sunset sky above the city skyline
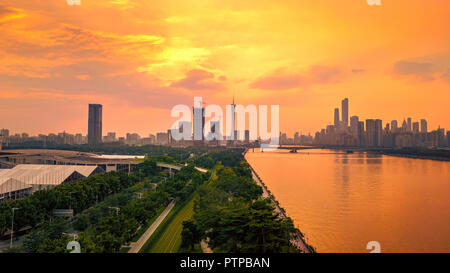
[140, 58]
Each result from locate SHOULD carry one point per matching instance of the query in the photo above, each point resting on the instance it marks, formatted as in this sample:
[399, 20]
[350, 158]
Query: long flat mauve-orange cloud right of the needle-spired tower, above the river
[314, 75]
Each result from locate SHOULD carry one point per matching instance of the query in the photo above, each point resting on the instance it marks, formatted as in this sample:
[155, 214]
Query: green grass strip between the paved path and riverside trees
[170, 239]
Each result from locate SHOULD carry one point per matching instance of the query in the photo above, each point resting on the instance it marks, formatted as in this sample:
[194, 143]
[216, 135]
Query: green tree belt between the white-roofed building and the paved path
[115, 221]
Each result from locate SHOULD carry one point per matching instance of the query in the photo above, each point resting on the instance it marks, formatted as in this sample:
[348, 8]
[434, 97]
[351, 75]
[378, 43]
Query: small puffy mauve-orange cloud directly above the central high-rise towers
[198, 79]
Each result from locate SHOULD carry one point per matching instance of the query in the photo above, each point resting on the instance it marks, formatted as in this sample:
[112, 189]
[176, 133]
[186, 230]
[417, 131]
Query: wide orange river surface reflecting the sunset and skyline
[342, 201]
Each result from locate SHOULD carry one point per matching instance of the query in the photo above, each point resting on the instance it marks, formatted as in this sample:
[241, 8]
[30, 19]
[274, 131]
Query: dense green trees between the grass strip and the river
[230, 213]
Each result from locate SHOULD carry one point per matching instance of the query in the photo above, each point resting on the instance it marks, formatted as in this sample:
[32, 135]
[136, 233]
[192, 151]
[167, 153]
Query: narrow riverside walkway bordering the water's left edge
[299, 242]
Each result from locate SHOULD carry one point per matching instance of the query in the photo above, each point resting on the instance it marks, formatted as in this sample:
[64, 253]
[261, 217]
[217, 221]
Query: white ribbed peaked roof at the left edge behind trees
[23, 176]
